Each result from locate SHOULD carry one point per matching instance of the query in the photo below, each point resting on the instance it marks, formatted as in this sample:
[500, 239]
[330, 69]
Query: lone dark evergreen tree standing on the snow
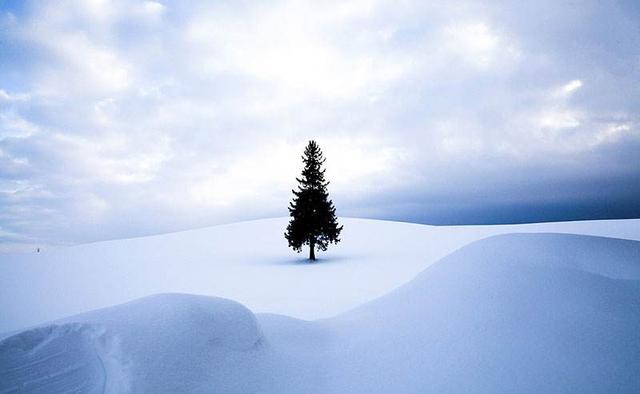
[313, 216]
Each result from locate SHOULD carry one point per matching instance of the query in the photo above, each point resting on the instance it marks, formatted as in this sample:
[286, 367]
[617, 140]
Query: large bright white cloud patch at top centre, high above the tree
[291, 48]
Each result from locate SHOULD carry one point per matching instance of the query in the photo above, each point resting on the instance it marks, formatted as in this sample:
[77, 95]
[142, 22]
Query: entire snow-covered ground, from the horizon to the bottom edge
[536, 312]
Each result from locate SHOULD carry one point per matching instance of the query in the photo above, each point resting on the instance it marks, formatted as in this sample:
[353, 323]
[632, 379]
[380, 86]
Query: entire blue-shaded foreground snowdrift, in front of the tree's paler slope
[541, 312]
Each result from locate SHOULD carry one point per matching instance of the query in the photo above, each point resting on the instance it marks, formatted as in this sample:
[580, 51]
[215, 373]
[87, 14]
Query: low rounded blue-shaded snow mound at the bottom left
[161, 343]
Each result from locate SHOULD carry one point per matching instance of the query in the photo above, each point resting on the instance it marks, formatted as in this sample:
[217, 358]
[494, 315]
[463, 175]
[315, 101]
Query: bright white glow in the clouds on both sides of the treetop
[251, 177]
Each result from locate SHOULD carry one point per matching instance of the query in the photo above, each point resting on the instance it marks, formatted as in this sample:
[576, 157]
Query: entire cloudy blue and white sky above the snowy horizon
[125, 118]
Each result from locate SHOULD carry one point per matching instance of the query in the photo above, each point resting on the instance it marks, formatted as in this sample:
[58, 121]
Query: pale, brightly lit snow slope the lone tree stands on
[248, 262]
